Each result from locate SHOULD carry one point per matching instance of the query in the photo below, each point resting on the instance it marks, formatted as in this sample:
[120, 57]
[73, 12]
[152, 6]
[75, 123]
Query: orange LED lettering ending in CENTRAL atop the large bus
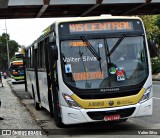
[100, 26]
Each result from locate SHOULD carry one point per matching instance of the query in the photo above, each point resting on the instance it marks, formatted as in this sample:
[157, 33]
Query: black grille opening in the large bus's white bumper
[99, 115]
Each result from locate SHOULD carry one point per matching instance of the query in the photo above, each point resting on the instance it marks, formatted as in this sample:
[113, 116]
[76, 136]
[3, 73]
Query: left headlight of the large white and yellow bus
[71, 103]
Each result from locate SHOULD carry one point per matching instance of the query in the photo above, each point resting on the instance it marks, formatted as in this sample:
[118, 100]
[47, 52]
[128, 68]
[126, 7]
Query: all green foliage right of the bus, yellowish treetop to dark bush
[152, 26]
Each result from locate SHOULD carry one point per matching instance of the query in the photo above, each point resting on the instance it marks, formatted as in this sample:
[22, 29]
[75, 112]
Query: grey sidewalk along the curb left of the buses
[12, 111]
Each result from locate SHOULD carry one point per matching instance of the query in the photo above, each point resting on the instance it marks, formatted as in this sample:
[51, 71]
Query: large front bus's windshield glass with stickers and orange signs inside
[125, 66]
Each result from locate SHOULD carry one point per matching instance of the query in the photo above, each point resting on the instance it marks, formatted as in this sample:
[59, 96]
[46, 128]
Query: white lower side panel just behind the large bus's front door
[43, 89]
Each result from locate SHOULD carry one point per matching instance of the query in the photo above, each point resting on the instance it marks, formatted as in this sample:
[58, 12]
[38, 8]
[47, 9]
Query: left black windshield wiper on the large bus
[91, 48]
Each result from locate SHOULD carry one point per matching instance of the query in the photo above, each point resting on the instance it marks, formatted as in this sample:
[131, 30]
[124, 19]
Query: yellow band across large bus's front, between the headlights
[109, 102]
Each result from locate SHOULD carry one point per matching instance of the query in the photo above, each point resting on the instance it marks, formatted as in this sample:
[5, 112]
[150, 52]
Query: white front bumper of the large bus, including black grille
[75, 116]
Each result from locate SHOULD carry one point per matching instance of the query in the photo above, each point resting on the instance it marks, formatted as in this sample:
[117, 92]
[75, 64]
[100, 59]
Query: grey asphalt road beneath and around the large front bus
[130, 128]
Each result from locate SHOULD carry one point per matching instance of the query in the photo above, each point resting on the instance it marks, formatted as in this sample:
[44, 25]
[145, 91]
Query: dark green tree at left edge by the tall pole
[13, 47]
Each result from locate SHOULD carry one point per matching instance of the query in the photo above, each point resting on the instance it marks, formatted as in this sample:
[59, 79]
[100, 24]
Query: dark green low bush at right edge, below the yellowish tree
[155, 65]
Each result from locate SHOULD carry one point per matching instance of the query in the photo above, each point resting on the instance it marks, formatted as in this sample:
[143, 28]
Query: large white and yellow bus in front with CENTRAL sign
[91, 69]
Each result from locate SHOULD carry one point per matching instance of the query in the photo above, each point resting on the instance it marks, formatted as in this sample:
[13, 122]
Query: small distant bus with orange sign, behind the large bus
[17, 71]
